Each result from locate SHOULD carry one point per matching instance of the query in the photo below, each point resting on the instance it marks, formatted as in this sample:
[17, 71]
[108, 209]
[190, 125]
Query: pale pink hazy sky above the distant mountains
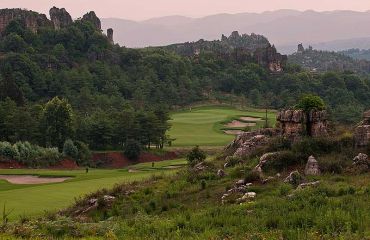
[144, 9]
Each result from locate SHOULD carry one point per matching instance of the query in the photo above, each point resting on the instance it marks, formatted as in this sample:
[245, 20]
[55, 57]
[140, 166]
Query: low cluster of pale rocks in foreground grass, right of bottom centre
[238, 192]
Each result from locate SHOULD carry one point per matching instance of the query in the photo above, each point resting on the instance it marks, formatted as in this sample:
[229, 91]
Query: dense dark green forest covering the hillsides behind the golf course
[108, 95]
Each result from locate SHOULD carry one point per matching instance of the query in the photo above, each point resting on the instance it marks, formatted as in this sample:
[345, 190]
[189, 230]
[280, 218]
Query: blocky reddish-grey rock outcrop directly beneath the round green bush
[295, 123]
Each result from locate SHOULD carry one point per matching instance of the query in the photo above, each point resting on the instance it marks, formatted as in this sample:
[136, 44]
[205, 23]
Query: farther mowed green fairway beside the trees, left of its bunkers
[203, 125]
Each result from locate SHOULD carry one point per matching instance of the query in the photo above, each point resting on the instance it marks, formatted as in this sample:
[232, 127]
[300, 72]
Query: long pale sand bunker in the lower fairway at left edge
[29, 179]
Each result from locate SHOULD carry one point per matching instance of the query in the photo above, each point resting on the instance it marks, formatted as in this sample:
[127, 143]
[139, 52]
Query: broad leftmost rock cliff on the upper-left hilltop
[32, 20]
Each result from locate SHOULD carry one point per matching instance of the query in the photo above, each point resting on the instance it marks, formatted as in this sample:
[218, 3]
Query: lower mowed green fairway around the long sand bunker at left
[33, 200]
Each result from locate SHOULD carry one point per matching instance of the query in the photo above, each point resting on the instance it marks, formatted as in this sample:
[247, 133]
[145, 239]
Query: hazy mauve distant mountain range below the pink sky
[333, 30]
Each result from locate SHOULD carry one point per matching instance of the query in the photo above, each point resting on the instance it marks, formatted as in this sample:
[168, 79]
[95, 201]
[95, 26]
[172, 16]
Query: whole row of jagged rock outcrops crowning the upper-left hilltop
[59, 18]
